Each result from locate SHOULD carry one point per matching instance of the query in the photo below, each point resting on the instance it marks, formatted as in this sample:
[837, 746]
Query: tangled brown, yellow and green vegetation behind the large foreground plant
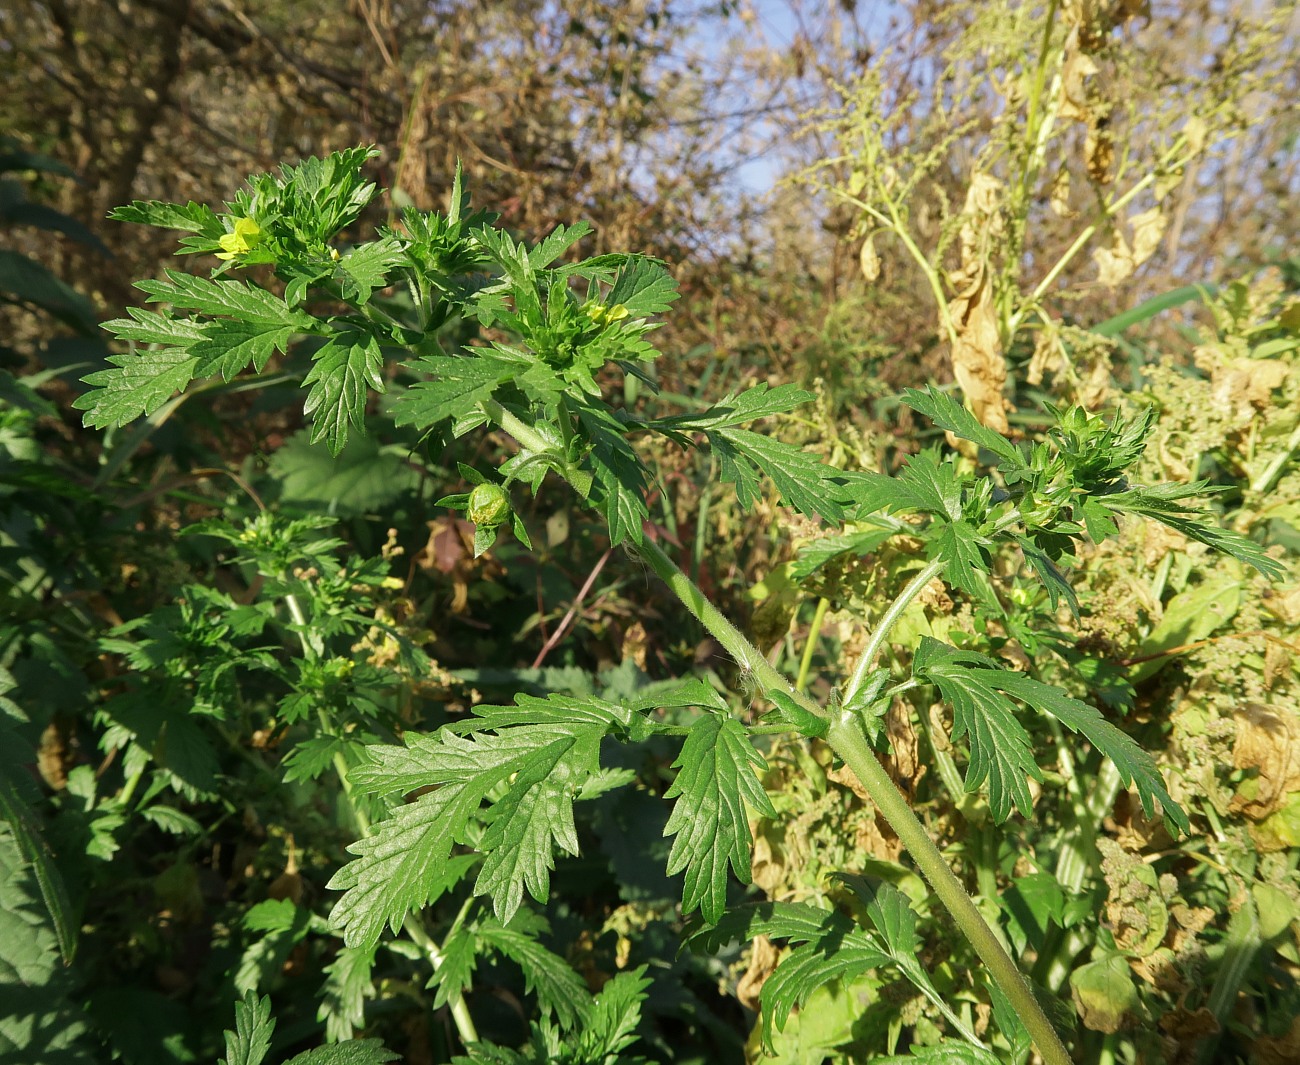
[1085, 202]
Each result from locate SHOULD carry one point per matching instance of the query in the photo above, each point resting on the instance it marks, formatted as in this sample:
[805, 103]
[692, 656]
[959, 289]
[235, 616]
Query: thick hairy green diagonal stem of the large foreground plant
[850, 743]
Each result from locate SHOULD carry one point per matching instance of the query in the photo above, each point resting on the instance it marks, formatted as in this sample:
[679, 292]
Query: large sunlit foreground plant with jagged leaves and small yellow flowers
[495, 794]
